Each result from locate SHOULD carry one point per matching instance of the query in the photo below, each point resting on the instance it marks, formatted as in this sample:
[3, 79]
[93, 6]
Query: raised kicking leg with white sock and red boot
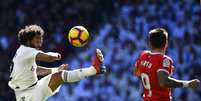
[76, 75]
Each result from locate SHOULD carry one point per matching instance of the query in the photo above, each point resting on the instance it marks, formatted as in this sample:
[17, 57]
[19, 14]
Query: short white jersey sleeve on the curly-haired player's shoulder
[30, 53]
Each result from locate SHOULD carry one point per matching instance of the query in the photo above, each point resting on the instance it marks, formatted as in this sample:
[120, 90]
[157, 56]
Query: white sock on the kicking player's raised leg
[78, 74]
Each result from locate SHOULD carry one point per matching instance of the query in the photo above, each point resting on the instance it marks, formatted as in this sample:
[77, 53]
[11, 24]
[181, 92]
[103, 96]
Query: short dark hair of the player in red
[158, 37]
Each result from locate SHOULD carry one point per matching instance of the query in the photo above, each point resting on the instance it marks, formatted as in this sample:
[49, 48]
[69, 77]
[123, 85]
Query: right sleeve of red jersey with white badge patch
[166, 65]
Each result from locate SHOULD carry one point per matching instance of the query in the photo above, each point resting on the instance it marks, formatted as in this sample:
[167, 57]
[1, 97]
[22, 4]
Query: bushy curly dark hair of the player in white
[26, 34]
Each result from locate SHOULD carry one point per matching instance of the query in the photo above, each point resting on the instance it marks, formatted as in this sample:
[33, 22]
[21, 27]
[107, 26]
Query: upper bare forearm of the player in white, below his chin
[48, 57]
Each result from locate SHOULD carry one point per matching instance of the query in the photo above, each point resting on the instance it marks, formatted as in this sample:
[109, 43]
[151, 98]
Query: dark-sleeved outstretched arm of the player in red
[166, 81]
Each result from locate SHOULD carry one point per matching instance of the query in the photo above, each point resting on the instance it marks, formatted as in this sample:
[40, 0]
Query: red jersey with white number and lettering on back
[148, 65]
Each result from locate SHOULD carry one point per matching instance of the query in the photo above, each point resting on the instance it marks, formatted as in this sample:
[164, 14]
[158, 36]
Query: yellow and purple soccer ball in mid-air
[78, 36]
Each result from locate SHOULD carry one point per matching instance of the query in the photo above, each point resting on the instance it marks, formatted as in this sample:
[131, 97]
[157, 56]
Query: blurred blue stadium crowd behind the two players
[119, 28]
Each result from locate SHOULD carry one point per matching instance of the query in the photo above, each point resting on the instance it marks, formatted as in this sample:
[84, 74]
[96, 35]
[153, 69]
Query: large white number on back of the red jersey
[146, 83]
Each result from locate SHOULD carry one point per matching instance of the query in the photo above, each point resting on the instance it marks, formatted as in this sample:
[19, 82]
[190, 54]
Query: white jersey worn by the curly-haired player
[23, 68]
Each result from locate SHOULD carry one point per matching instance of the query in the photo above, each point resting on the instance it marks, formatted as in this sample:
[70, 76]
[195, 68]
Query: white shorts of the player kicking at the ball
[39, 92]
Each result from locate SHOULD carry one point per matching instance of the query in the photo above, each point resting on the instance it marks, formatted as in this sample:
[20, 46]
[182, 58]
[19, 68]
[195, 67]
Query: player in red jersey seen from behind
[155, 69]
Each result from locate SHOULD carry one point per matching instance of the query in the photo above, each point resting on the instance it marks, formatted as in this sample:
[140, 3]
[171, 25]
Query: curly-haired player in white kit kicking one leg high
[24, 70]
